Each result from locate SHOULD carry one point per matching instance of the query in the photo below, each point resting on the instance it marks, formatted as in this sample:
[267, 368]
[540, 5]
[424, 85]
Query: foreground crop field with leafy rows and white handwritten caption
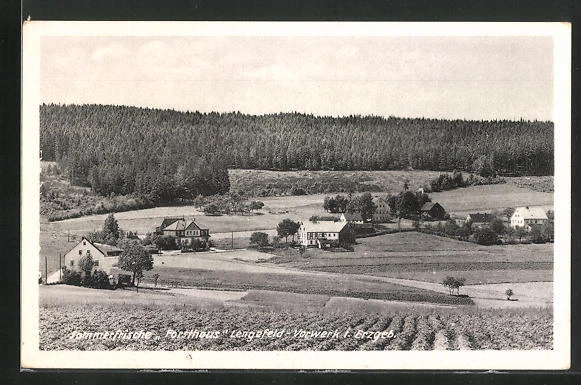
[186, 328]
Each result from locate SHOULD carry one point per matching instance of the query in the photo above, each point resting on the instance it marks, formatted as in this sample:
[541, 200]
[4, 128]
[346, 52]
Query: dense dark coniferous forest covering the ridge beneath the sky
[166, 155]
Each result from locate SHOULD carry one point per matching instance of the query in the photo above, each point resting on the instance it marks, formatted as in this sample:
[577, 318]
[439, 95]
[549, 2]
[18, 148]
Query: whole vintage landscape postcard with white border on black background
[258, 195]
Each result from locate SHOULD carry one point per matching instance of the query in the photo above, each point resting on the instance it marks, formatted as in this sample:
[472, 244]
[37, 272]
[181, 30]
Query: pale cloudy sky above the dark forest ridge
[433, 77]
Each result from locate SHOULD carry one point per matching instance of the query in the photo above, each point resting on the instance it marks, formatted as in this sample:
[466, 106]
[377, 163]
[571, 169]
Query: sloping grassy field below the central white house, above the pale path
[430, 258]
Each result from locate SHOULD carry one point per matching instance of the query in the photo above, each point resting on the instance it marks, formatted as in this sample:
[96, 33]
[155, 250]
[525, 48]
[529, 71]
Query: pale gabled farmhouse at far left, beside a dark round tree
[105, 257]
